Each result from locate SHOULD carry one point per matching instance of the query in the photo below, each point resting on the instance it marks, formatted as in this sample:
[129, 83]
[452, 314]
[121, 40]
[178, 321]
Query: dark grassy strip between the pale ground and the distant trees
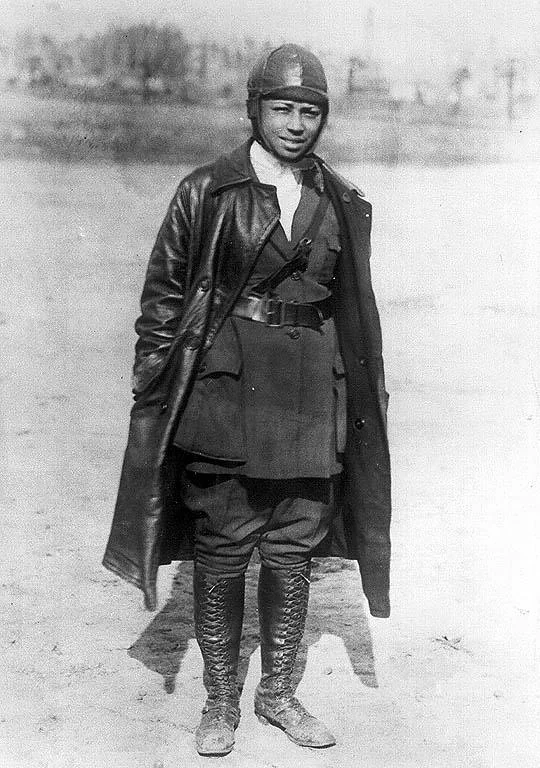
[68, 129]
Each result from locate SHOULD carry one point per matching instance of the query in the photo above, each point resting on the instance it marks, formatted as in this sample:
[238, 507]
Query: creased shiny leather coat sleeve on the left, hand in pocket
[164, 291]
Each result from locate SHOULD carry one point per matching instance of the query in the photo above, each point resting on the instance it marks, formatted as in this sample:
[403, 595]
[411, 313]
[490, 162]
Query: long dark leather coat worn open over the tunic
[214, 230]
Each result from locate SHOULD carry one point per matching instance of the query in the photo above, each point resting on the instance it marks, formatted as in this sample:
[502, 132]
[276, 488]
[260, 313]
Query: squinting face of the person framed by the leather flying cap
[290, 128]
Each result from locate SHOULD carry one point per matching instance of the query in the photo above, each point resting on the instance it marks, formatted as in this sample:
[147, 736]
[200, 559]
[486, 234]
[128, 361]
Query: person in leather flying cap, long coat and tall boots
[260, 406]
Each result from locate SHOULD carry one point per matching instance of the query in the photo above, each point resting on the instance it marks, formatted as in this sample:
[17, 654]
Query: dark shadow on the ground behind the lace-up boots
[335, 608]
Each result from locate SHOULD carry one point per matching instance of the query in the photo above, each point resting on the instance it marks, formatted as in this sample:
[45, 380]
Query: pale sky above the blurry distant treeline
[410, 37]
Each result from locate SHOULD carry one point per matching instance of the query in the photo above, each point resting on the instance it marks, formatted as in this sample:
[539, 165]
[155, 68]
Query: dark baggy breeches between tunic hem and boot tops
[285, 519]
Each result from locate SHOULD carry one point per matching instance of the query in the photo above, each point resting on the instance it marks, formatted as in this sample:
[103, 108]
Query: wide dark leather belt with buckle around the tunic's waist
[277, 313]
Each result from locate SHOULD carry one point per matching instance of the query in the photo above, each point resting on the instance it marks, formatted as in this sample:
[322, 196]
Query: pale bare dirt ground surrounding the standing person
[91, 680]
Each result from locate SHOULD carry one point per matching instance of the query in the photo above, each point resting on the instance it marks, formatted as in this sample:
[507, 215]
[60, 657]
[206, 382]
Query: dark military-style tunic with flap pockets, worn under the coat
[270, 402]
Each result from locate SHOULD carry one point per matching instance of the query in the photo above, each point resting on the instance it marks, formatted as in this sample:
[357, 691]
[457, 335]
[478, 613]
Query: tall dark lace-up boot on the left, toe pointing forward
[219, 610]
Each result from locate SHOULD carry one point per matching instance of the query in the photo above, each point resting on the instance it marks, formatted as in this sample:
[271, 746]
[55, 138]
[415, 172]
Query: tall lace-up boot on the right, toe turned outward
[283, 601]
